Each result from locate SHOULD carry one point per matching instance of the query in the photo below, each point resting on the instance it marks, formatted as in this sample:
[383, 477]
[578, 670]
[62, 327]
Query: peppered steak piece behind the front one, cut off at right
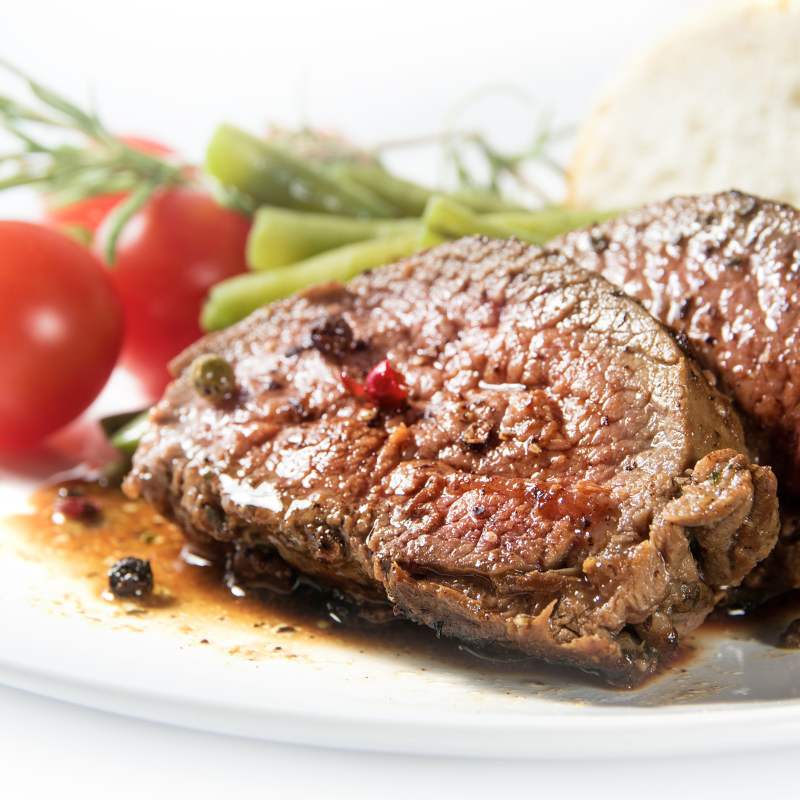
[724, 271]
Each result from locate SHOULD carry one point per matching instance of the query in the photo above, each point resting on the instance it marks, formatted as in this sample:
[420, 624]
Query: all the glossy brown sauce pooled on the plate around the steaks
[191, 600]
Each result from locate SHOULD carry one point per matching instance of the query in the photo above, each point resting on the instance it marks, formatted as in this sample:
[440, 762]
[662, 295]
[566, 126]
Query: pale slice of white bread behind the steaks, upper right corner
[713, 106]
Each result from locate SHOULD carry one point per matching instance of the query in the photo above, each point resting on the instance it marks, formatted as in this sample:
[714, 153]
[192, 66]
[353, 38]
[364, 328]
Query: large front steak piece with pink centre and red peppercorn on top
[561, 479]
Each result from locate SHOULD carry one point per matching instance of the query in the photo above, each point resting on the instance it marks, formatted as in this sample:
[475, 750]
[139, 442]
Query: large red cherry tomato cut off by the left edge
[60, 331]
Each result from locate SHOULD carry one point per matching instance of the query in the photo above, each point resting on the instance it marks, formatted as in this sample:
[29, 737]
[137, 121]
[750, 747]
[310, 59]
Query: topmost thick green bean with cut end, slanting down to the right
[269, 174]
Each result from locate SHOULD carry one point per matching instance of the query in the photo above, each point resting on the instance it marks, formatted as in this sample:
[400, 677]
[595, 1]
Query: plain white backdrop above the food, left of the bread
[374, 72]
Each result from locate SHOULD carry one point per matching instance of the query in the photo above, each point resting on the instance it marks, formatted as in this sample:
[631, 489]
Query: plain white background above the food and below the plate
[374, 71]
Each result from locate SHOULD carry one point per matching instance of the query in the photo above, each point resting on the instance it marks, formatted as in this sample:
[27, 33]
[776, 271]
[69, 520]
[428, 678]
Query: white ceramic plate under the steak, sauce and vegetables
[736, 693]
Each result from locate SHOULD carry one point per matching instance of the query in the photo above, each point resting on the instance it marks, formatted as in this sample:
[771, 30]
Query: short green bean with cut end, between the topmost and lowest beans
[280, 236]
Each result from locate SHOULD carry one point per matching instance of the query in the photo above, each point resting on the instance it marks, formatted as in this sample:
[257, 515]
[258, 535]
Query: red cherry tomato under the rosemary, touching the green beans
[168, 256]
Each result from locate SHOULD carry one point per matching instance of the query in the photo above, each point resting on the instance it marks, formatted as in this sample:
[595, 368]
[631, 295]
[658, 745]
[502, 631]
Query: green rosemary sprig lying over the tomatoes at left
[98, 163]
